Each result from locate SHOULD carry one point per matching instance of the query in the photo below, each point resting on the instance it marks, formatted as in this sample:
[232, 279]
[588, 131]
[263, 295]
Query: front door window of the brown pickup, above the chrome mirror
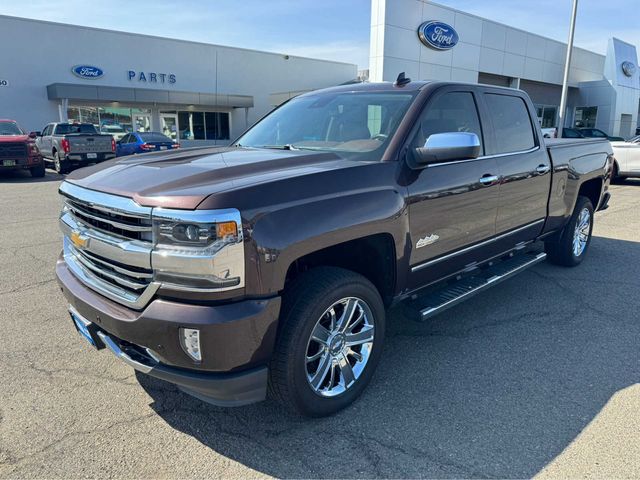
[451, 112]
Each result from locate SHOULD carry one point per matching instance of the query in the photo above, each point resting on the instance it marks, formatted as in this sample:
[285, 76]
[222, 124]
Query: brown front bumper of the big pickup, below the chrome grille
[237, 340]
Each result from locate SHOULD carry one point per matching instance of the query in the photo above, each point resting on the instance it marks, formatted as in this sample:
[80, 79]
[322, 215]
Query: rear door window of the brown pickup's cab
[511, 123]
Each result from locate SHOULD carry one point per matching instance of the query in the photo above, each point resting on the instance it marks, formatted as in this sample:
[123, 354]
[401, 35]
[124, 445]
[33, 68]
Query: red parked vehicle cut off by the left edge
[18, 150]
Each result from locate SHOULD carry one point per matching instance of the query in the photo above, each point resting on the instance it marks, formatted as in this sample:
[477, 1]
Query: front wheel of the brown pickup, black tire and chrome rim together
[330, 340]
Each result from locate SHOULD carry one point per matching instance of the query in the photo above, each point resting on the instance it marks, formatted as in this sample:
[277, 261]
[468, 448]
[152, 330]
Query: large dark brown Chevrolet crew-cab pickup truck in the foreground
[267, 266]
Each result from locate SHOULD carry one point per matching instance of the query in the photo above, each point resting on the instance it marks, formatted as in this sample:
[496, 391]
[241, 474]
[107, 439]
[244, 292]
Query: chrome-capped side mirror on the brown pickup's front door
[445, 147]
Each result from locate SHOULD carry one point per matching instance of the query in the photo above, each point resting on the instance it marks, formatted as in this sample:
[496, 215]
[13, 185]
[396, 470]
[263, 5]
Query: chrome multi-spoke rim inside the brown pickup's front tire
[340, 346]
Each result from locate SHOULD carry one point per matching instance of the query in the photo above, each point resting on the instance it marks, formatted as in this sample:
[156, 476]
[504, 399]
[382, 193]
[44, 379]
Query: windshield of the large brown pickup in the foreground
[354, 125]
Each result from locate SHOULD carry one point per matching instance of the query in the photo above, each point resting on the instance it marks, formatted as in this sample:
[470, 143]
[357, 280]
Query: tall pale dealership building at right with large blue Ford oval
[604, 90]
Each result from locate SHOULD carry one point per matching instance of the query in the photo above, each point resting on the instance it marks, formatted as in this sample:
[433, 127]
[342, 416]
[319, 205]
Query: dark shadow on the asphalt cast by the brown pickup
[495, 387]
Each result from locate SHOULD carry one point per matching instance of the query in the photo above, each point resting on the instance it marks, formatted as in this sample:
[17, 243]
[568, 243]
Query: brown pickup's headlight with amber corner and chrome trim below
[198, 250]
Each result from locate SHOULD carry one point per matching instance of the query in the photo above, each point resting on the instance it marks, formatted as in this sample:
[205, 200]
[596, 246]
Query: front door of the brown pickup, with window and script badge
[452, 205]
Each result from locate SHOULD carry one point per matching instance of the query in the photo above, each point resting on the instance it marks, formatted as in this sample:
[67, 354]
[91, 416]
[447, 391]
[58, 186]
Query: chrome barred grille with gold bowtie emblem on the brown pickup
[107, 244]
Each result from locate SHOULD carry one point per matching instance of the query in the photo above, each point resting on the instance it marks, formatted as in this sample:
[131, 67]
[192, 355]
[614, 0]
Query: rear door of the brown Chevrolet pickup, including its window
[523, 165]
